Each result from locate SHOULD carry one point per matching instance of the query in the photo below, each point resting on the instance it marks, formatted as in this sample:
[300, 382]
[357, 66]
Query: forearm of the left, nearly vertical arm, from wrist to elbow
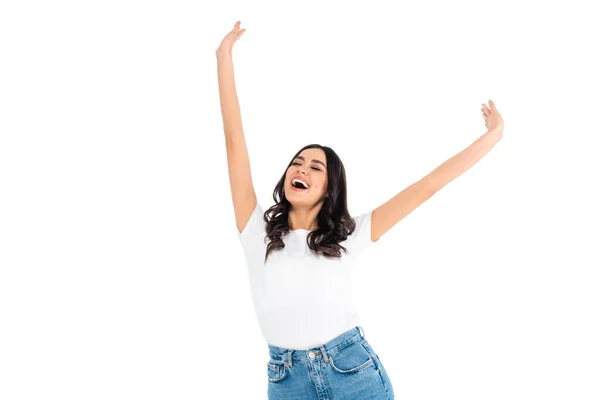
[230, 107]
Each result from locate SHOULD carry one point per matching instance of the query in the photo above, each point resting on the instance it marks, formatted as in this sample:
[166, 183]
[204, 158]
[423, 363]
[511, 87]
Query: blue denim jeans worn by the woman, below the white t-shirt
[345, 368]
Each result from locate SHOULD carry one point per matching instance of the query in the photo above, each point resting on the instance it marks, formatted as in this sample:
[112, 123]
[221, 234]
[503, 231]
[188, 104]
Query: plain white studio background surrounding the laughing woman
[121, 276]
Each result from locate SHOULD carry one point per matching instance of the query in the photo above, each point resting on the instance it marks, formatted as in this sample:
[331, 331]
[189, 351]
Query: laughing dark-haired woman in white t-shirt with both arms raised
[300, 252]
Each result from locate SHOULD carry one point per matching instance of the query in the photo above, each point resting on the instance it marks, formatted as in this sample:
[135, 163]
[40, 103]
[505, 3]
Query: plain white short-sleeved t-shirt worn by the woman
[301, 300]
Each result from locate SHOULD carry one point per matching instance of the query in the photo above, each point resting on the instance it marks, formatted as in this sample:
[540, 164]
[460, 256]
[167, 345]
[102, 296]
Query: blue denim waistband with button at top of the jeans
[288, 356]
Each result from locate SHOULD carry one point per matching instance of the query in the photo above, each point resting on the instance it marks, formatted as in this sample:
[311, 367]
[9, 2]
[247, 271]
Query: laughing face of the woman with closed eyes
[311, 167]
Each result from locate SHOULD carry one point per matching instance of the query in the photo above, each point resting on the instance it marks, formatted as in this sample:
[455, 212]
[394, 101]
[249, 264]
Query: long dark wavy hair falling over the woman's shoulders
[334, 221]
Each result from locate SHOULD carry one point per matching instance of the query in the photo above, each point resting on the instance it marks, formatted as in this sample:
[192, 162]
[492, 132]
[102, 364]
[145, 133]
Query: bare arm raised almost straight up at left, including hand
[238, 161]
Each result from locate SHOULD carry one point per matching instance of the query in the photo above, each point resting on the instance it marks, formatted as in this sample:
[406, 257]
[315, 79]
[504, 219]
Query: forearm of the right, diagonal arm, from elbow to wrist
[458, 164]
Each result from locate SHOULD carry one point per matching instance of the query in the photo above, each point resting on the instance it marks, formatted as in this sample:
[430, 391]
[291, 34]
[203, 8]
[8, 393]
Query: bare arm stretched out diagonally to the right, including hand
[390, 213]
